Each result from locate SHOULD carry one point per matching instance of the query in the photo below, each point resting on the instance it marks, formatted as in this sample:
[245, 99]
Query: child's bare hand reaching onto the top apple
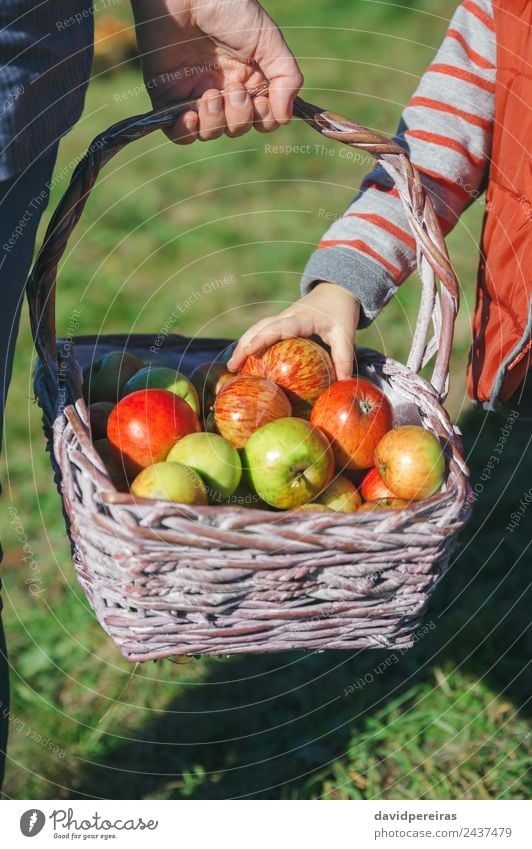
[329, 311]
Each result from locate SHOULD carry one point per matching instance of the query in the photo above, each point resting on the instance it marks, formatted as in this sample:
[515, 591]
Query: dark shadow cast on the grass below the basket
[259, 726]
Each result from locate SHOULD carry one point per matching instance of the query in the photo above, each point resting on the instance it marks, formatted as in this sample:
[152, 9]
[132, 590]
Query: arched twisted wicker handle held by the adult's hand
[439, 305]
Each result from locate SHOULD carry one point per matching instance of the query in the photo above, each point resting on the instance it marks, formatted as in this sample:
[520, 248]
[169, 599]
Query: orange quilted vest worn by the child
[501, 351]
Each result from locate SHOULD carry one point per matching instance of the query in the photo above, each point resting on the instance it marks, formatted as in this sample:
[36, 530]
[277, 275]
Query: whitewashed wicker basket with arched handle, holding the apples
[166, 579]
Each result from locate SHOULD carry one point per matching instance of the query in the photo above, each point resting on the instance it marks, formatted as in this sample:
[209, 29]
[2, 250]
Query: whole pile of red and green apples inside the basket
[283, 433]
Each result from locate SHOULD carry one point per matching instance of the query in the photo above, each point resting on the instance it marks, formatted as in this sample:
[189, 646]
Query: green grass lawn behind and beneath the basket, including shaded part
[447, 719]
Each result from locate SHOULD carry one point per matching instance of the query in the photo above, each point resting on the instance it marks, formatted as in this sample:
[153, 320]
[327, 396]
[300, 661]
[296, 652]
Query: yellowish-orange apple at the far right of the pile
[410, 461]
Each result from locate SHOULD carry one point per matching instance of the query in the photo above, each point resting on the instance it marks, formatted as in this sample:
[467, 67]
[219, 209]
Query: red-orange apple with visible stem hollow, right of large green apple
[355, 415]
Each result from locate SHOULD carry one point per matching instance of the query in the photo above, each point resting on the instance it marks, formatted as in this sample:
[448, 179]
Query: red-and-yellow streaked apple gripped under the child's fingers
[299, 366]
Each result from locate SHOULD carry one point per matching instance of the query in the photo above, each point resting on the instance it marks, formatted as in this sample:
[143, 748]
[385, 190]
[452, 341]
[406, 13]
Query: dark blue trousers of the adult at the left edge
[22, 201]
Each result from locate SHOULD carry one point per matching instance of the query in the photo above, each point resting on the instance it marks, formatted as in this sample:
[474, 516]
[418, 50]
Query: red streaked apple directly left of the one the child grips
[245, 404]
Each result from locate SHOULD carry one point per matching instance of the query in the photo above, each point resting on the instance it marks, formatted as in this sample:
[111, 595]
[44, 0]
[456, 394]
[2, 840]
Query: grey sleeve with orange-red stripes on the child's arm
[447, 129]
